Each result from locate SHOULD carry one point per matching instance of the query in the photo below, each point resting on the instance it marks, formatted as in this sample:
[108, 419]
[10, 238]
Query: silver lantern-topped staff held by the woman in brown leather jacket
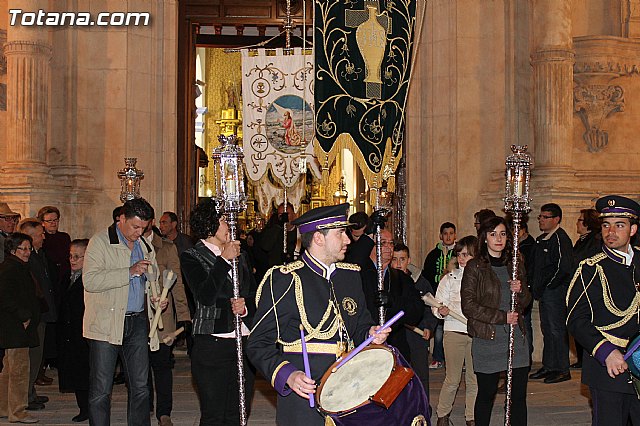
[516, 201]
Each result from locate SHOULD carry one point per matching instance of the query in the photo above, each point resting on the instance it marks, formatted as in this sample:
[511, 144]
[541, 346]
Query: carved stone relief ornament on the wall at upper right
[594, 103]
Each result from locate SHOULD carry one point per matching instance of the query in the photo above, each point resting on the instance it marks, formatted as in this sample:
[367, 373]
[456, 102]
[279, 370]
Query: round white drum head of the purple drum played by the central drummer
[357, 381]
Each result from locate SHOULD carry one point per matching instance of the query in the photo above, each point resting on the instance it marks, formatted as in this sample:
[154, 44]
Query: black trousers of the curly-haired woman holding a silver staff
[214, 370]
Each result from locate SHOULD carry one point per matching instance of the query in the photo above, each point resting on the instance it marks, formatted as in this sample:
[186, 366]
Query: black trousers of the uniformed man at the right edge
[614, 408]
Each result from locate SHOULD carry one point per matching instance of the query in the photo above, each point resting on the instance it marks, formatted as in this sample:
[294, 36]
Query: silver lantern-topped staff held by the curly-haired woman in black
[231, 199]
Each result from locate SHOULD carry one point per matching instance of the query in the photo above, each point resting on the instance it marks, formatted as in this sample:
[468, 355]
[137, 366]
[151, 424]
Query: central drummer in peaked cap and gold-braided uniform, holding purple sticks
[322, 294]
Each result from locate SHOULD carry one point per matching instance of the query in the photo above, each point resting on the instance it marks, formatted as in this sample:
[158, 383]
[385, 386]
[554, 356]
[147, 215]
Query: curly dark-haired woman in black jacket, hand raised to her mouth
[207, 270]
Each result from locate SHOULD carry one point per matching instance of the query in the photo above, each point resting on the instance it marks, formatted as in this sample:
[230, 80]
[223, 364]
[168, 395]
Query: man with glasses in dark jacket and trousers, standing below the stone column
[550, 274]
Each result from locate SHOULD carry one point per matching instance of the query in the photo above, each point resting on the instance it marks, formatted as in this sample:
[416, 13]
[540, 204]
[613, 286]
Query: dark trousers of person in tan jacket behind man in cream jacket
[161, 364]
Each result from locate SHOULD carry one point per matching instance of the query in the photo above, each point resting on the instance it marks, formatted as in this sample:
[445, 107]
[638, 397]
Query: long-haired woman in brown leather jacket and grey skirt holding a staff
[486, 302]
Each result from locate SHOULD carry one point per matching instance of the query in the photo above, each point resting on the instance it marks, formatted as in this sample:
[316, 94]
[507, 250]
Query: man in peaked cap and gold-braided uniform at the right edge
[603, 306]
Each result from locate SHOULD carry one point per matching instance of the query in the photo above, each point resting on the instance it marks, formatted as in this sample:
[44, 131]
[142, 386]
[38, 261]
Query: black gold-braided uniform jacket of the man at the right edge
[602, 313]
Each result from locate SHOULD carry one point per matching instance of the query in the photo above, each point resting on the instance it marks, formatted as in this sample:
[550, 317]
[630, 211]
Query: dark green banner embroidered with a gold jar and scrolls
[363, 54]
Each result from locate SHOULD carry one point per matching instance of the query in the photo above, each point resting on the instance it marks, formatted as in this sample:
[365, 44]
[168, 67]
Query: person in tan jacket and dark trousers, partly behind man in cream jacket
[161, 360]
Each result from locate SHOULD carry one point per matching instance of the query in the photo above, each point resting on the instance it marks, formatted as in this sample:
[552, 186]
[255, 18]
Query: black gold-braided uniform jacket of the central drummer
[303, 292]
